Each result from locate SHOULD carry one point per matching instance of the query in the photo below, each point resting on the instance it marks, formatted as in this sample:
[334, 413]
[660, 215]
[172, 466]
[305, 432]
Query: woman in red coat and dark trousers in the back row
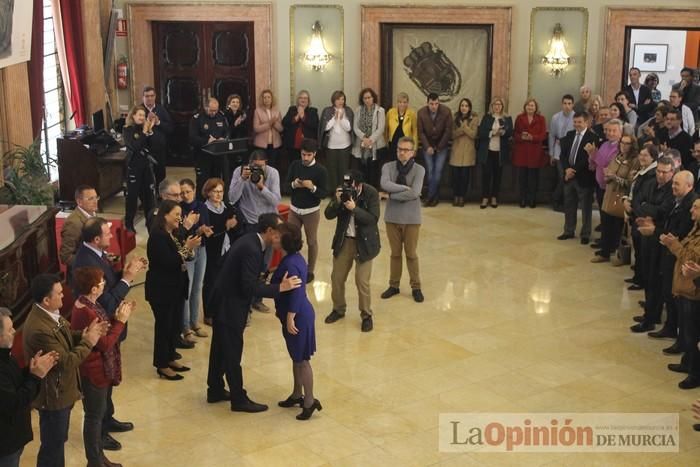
[528, 155]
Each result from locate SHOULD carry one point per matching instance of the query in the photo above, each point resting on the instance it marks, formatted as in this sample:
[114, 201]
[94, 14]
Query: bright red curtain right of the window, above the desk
[73, 39]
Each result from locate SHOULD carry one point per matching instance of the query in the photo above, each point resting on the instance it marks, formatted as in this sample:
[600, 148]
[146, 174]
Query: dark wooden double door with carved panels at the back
[198, 60]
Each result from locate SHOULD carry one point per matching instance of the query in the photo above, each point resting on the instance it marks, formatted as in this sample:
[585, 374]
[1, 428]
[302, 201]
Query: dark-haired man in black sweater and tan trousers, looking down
[308, 180]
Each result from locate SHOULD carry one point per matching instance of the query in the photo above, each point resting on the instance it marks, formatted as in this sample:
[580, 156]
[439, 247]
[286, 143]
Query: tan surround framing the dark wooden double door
[141, 16]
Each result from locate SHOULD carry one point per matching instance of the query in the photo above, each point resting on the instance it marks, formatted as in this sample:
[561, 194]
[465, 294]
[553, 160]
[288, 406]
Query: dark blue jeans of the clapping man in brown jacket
[53, 432]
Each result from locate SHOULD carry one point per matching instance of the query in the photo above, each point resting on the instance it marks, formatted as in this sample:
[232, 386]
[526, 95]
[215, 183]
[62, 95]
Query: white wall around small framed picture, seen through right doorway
[675, 57]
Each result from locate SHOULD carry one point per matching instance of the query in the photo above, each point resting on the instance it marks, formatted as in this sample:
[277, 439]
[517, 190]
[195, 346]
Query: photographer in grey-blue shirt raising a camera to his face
[255, 188]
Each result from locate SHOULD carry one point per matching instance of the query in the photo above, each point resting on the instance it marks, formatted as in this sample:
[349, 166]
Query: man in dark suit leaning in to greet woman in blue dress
[238, 282]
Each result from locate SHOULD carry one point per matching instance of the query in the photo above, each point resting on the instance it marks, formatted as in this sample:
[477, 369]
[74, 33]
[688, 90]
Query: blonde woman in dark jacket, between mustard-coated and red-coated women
[495, 131]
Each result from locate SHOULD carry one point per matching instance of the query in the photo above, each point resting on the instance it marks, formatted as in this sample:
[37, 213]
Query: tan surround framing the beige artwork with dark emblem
[499, 17]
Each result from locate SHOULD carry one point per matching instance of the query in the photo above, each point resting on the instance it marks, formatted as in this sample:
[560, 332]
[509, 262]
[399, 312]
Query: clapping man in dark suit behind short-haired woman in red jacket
[96, 236]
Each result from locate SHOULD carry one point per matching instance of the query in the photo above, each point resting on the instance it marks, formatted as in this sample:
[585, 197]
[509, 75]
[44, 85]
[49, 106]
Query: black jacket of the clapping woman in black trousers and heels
[166, 281]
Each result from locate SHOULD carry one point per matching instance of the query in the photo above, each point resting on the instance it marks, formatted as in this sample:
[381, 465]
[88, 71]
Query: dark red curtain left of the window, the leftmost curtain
[36, 68]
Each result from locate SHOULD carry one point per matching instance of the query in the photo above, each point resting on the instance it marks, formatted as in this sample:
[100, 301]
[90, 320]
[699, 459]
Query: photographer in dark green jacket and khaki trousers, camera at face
[356, 240]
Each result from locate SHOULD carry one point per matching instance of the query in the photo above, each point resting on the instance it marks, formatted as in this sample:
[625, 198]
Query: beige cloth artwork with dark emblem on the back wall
[450, 60]
